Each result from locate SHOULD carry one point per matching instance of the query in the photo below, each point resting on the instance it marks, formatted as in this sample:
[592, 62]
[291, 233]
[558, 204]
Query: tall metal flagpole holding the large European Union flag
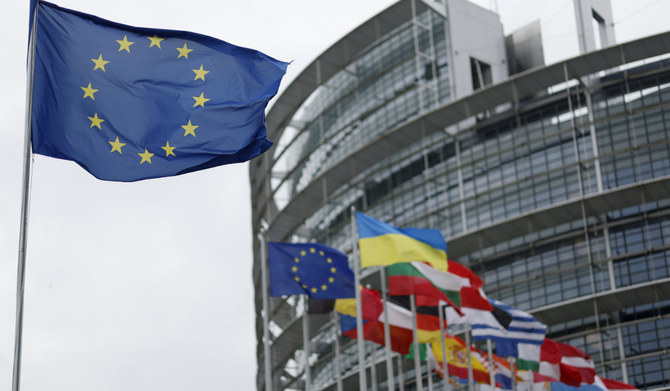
[25, 205]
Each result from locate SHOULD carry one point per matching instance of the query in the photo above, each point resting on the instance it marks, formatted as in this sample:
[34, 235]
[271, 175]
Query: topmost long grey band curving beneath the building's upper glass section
[306, 202]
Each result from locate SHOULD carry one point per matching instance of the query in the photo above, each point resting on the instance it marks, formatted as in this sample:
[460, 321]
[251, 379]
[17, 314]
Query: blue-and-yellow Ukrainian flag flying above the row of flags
[382, 244]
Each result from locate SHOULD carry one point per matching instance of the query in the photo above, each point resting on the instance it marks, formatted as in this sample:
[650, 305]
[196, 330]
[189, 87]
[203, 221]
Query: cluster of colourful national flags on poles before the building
[422, 292]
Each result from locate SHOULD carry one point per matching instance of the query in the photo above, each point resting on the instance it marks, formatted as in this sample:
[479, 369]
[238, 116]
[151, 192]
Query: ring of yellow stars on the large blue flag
[189, 128]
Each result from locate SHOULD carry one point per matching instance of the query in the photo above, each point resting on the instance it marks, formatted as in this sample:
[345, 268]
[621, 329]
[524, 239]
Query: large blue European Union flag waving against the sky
[129, 103]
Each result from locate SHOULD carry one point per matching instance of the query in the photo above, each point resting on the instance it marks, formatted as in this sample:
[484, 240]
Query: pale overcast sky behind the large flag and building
[147, 286]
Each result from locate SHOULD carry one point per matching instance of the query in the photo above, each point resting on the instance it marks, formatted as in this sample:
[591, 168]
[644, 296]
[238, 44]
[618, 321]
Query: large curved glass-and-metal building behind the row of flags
[551, 182]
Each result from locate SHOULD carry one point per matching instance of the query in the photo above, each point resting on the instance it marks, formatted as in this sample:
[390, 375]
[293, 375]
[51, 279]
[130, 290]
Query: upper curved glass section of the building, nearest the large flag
[389, 83]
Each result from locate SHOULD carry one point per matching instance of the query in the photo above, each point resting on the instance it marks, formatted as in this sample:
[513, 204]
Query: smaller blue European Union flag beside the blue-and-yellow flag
[313, 269]
